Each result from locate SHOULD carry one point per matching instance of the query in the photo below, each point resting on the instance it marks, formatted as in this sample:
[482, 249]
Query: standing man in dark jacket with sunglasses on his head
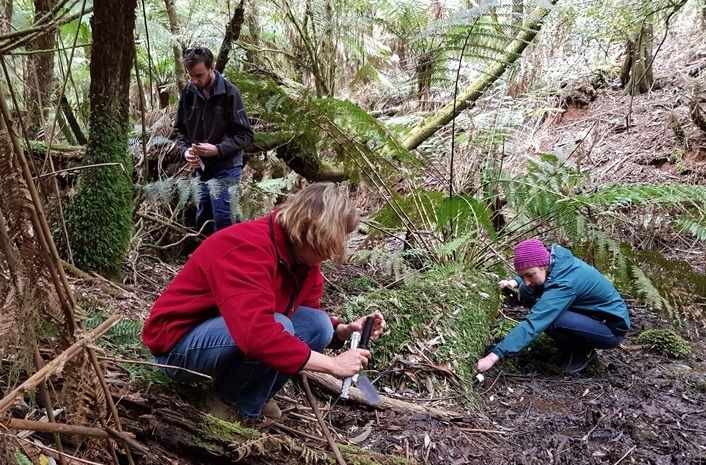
[211, 131]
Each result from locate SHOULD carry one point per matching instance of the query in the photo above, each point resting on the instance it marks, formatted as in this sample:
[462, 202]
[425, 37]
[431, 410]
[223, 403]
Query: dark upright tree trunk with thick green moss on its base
[99, 219]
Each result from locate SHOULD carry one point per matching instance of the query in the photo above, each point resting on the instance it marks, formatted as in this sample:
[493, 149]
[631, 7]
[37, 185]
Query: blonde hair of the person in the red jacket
[319, 216]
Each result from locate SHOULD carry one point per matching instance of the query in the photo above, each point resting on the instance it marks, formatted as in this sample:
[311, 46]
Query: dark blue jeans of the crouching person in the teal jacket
[573, 331]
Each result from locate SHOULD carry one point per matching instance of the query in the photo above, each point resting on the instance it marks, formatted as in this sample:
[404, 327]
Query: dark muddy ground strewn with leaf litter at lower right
[630, 407]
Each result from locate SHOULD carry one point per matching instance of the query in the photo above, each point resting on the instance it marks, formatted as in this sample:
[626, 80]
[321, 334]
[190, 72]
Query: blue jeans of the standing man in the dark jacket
[213, 199]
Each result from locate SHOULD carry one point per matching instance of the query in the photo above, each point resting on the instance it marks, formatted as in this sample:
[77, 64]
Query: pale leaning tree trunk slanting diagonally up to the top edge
[423, 131]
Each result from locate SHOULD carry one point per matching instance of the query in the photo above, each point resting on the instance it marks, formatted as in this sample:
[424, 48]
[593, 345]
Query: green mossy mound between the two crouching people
[449, 311]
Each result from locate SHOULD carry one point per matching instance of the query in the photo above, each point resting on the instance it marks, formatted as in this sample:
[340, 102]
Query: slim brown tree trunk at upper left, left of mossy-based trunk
[40, 72]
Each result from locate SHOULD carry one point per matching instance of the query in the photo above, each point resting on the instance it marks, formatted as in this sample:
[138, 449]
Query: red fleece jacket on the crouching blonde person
[241, 273]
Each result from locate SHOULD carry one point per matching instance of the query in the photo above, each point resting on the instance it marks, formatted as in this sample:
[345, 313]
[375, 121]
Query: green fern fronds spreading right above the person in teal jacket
[551, 195]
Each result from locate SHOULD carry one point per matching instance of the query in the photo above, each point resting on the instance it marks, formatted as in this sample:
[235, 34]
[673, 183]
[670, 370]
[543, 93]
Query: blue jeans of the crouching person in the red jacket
[242, 383]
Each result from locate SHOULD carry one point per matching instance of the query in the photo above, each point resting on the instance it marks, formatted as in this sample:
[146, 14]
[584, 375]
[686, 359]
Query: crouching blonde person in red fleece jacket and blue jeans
[244, 309]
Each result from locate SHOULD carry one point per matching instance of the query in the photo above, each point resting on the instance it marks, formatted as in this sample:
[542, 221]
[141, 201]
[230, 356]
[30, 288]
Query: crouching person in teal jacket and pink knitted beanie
[569, 300]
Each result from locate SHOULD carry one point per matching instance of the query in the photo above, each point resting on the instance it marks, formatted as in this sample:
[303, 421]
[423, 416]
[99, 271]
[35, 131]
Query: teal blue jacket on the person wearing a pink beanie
[571, 284]
